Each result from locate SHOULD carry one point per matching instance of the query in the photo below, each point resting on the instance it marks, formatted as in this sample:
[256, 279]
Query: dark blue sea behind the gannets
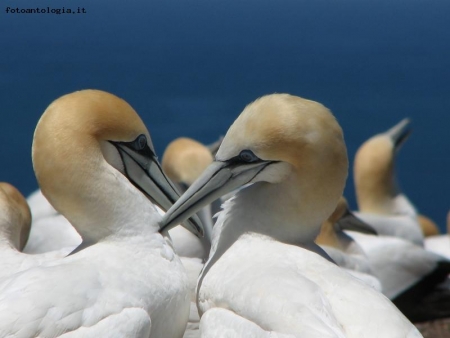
[190, 66]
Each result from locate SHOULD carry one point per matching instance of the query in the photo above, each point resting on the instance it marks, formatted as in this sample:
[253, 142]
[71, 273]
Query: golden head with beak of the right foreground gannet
[292, 148]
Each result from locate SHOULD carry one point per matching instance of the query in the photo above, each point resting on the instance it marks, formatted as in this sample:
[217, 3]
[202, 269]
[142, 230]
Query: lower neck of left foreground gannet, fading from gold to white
[107, 206]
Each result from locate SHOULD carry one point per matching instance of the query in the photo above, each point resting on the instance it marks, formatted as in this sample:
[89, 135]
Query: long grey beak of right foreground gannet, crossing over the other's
[217, 180]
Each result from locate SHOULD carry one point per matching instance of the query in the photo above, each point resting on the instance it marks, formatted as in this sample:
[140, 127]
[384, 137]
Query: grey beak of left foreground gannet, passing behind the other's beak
[144, 171]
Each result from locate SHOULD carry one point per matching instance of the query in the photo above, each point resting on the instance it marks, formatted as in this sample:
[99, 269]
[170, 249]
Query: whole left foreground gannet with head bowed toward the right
[95, 162]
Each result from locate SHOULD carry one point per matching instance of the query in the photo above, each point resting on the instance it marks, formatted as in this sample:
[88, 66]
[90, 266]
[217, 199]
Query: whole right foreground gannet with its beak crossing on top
[264, 266]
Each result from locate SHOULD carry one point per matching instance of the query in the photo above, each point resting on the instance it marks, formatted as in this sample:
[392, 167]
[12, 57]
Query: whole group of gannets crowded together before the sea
[249, 237]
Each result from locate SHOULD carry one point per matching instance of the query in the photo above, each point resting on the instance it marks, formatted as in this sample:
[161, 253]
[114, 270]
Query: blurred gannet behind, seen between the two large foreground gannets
[183, 161]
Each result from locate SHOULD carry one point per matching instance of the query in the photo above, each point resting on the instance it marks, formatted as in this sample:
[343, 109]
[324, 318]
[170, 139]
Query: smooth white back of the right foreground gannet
[288, 289]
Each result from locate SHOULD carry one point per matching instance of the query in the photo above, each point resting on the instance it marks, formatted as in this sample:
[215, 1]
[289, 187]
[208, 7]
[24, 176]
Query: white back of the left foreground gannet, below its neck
[86, 289]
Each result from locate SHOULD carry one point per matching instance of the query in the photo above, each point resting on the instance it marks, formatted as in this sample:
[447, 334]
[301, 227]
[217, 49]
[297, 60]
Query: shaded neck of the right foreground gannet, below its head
[277, 210]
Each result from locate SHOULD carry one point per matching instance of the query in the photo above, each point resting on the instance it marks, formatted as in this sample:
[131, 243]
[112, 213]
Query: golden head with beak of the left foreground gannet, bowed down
[93, 156]
